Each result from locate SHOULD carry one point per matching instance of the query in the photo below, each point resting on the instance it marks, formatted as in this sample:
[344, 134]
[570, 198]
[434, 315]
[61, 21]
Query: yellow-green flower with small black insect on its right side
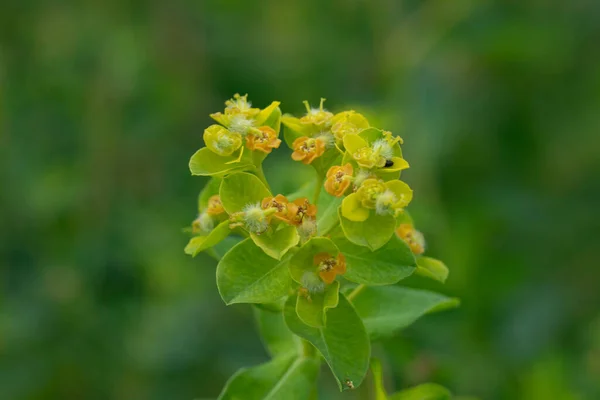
[380, 154]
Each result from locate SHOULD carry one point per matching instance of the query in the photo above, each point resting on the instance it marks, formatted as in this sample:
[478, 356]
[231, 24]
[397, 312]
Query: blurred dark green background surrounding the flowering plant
[103, 102]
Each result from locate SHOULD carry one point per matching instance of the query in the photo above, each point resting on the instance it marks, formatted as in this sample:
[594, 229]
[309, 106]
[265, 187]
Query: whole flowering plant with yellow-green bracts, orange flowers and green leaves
[321, 267]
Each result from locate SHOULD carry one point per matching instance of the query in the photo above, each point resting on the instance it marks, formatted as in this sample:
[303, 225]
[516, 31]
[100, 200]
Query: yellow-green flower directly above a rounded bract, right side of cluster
[385, 198]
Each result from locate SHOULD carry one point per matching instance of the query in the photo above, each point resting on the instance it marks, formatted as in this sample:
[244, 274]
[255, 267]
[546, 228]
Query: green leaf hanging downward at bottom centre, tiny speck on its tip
[343, 341]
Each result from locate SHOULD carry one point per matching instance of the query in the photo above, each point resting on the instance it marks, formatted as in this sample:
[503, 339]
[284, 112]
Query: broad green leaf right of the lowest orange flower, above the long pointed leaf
[384, 266]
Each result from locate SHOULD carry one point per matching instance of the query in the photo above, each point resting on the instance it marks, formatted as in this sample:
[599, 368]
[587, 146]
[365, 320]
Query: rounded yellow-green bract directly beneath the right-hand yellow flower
[374, 232]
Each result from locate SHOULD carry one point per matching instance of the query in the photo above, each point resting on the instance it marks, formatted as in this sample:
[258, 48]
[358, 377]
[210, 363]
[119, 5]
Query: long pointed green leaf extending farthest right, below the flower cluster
[387, 309]
